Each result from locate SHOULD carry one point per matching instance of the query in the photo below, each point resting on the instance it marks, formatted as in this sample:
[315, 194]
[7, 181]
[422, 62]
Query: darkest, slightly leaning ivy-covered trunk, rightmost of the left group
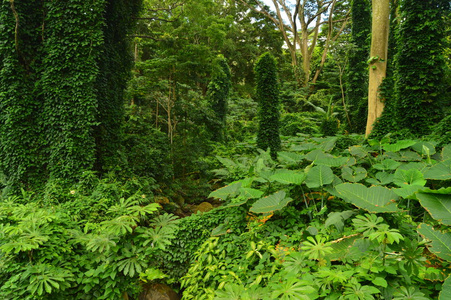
[111, 82]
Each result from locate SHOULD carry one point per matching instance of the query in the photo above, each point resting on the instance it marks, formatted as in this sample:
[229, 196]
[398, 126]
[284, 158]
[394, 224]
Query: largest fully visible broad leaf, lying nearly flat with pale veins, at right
[376, 199]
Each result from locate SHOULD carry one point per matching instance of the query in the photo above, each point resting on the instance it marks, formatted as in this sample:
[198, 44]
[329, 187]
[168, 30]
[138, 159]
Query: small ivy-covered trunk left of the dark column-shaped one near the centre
[218, 92]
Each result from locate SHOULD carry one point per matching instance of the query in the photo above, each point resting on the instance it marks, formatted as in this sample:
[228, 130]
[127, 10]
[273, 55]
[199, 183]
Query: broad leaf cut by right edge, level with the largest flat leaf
[438, 205]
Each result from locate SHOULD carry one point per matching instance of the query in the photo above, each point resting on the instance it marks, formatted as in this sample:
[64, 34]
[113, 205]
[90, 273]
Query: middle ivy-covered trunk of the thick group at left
[68, 84]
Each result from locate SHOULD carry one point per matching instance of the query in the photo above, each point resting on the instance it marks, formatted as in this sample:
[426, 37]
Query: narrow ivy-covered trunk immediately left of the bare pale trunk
[357, 71]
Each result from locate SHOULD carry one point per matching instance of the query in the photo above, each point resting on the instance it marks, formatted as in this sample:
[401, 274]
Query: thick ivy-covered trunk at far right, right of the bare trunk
[420, 65]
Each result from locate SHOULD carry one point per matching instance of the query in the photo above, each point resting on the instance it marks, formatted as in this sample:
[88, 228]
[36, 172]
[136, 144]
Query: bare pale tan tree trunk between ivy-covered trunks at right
[378, 60]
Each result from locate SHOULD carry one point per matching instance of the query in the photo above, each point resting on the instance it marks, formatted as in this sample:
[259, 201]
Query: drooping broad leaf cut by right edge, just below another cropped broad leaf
[440, 242]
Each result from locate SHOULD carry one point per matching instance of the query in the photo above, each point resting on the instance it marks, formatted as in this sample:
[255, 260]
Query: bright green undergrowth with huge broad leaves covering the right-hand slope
[368, 222]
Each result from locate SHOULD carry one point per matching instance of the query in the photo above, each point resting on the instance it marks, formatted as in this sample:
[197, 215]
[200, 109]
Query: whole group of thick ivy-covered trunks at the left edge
[57, 83]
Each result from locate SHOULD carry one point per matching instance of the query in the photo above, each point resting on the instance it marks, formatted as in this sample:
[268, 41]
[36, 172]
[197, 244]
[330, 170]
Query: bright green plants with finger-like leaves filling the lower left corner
[92, 247]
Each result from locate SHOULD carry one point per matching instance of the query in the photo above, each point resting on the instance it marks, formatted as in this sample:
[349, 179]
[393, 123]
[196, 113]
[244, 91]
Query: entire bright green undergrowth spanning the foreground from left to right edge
[327, 220]
